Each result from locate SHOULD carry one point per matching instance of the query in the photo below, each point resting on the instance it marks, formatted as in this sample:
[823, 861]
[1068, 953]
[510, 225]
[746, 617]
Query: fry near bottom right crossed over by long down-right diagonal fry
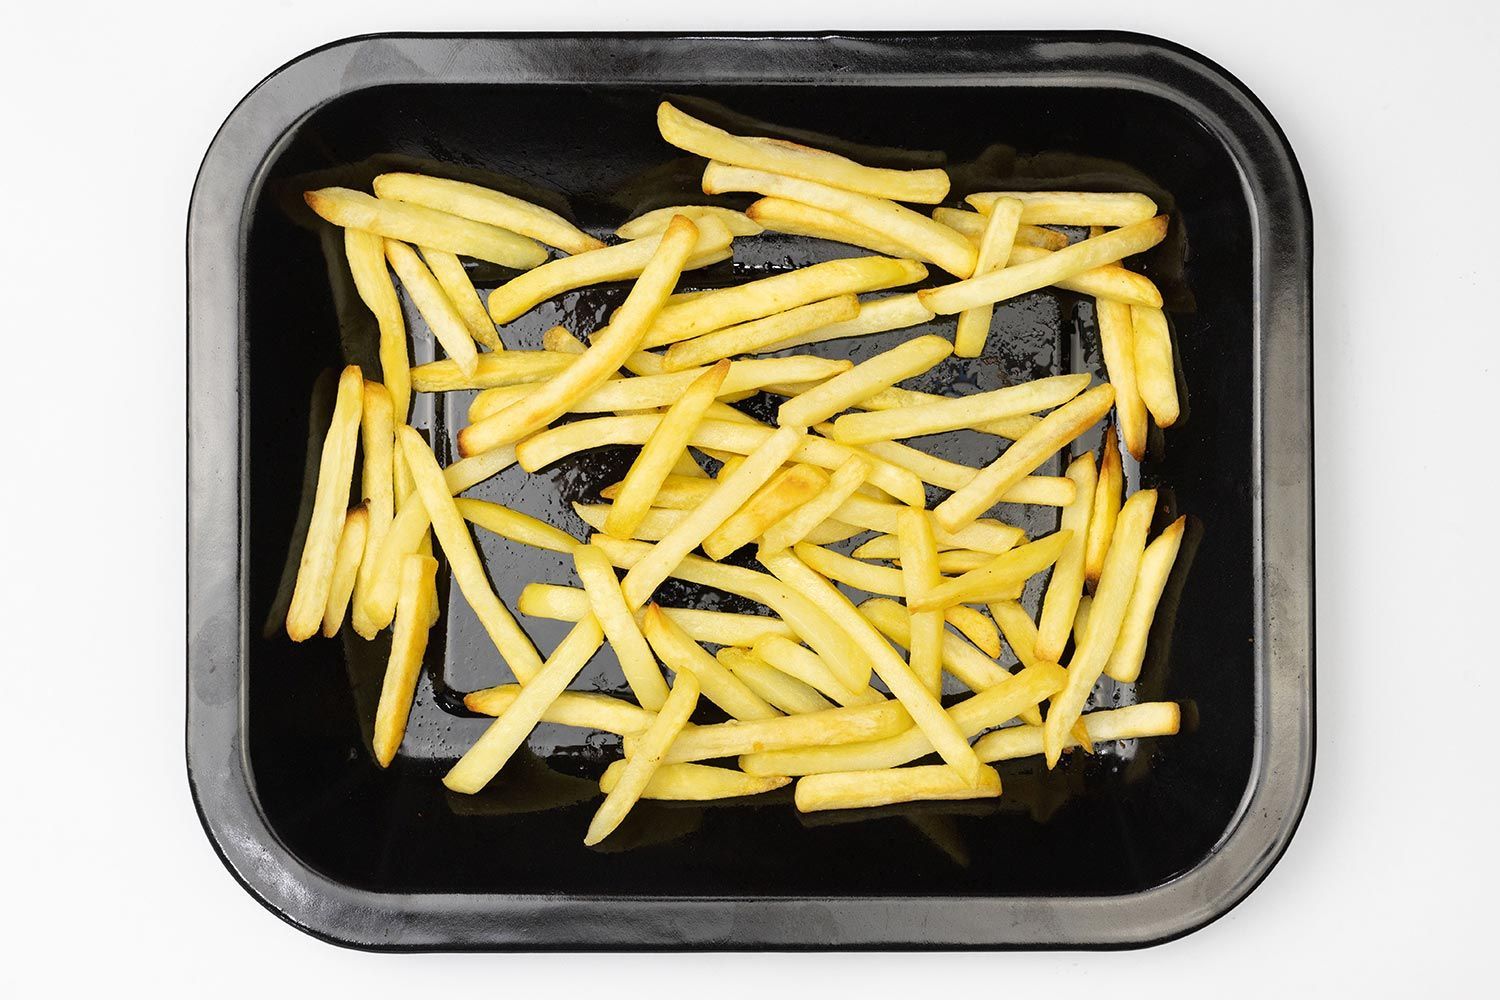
[971, 717]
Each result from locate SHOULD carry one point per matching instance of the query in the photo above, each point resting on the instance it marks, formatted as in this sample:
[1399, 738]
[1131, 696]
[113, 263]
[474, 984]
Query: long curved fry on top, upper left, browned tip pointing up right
[604, 359]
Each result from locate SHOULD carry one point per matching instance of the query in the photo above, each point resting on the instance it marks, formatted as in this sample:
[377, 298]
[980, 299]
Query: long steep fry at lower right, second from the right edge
[1106, 617]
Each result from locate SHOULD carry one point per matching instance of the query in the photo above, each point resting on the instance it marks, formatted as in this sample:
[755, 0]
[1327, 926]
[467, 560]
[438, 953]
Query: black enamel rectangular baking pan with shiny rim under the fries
[1139, 843]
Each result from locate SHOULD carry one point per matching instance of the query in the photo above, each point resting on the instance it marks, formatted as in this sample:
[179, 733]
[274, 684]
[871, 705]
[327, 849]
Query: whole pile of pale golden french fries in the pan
[839, 696]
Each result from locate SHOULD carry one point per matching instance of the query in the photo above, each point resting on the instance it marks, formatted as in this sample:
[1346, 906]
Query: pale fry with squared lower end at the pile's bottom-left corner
[509, 731]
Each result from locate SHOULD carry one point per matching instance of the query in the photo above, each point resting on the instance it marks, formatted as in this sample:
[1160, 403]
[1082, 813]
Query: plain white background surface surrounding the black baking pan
[110, 881]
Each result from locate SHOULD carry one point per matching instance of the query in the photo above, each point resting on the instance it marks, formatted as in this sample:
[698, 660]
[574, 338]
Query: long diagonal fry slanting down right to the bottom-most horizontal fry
[901, 680]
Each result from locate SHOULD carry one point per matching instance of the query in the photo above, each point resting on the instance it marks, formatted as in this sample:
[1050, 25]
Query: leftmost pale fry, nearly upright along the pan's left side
[310, 597]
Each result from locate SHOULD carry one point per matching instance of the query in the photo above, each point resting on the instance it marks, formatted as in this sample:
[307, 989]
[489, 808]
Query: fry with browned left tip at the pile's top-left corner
[424, 227]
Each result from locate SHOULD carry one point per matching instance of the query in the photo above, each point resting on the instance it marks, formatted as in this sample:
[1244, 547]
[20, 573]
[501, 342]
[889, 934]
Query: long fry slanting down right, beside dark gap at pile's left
[512, 644]
